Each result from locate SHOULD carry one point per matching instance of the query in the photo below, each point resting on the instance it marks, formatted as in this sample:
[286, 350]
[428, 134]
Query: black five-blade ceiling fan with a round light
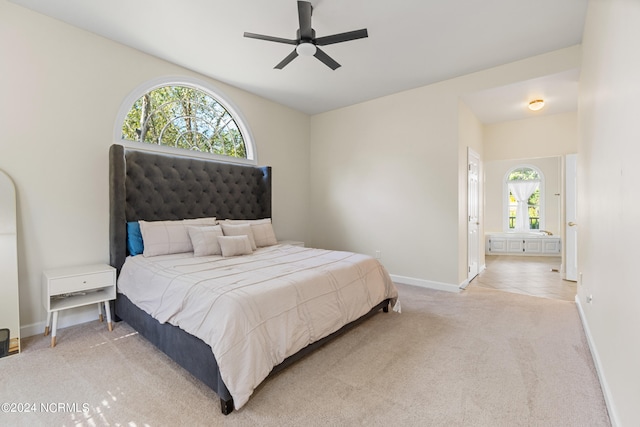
[306, 42]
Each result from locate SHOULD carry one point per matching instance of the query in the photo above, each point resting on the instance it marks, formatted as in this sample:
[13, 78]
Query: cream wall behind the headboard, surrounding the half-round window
[61, 90]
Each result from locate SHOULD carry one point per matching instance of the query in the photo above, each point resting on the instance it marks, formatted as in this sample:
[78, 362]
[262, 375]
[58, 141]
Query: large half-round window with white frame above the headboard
[182, 114]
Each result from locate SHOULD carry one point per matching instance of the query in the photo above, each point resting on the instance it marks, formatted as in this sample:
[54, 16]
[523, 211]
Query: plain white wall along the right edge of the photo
[609, 199]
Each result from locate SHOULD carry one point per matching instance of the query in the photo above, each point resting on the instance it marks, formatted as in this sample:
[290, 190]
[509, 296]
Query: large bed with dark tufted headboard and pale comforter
[150, 187]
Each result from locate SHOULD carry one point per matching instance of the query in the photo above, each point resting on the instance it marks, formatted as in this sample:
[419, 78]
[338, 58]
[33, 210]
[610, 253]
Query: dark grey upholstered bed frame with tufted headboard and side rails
[151, 186]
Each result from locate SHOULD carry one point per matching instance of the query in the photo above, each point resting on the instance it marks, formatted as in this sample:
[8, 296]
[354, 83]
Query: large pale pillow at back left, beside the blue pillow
[169, 237]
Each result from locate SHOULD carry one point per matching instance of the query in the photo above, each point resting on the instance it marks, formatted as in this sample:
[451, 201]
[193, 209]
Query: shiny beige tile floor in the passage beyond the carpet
[526, 275]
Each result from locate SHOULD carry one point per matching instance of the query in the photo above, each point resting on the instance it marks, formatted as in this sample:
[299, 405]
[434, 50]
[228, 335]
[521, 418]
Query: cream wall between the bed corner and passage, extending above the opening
[388, 174]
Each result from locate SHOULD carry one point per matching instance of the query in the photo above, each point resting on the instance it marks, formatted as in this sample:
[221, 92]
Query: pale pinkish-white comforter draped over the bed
[256, 310]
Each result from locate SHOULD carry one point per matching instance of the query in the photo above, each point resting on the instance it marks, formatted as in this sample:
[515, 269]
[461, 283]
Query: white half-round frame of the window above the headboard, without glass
[209, 89]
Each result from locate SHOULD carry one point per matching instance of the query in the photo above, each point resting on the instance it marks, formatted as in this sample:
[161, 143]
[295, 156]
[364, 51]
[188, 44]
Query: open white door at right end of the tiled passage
[571, 227]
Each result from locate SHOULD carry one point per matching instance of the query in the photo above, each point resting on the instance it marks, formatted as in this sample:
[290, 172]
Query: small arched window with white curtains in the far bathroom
[524, 189]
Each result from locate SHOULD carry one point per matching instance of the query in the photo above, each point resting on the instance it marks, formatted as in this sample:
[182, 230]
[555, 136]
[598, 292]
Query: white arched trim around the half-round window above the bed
[217, 94]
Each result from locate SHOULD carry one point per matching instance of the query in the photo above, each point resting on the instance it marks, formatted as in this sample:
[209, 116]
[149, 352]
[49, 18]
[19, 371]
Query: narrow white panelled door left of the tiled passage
[473, 209]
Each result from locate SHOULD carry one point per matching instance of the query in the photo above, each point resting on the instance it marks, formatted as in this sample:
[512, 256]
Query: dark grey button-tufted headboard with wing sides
[154, 186]
